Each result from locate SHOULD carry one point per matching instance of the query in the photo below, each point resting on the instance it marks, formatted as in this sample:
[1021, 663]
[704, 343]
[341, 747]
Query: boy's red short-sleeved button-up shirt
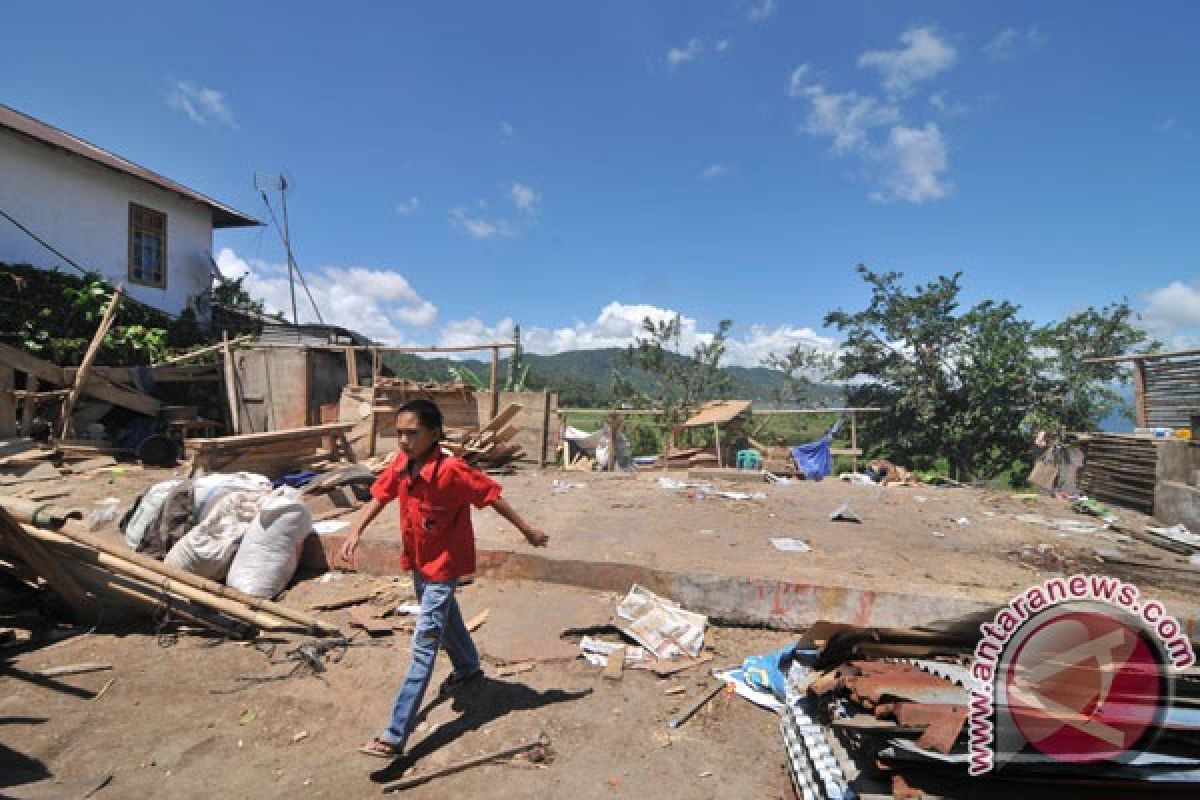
[435, 513]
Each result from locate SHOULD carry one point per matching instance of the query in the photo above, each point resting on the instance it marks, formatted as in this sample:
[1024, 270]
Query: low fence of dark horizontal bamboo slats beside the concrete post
[1120, 470]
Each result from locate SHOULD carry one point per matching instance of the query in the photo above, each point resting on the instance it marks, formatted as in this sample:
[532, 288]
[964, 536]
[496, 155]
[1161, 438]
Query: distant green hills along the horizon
[586, 377]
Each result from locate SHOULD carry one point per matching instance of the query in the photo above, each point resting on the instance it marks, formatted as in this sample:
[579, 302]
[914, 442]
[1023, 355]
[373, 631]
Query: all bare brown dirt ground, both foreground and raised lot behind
[181, 721]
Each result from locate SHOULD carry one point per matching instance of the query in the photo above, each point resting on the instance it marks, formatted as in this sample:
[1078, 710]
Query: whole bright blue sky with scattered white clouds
[574, 167]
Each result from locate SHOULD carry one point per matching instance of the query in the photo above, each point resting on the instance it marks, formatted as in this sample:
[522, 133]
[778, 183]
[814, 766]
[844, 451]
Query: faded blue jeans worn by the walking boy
[439, 625]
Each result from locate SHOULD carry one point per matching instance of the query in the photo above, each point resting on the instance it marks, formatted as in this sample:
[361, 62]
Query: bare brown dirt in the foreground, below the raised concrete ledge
[166, 729]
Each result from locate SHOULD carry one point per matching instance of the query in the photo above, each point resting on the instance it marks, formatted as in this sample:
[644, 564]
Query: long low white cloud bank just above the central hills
[620, 324]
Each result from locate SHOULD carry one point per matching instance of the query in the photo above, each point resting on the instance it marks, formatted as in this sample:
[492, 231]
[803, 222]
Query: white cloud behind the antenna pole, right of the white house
[373, 302]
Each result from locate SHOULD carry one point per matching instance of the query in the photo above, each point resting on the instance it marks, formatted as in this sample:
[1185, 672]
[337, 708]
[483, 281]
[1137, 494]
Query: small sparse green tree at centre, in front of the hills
[681, 382]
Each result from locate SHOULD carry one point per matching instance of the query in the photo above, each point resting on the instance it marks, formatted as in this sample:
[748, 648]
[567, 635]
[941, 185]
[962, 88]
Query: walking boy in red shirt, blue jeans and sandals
[435, 492]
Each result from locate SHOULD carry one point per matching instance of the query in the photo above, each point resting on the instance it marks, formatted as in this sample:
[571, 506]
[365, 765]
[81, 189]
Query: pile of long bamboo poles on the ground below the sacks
[94, 575]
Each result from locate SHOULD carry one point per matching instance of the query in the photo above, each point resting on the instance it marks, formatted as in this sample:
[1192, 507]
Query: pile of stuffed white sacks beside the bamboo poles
[233, 528]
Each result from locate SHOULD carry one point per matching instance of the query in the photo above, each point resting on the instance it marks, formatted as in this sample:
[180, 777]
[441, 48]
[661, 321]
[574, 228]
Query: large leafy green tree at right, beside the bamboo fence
[971, 387]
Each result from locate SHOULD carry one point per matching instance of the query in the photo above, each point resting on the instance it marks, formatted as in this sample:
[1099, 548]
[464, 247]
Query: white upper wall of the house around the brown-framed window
[83, 210]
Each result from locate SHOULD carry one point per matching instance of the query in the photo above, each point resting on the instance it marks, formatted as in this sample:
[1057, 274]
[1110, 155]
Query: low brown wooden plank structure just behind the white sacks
[272, 454]
